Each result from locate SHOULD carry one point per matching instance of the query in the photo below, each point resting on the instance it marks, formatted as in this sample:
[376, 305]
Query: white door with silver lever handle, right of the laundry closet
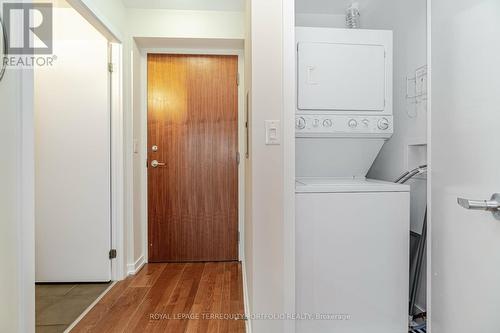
[465, 155]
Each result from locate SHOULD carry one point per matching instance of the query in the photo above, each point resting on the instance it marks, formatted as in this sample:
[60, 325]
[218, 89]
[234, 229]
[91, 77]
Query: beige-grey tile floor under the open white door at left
[58, 305]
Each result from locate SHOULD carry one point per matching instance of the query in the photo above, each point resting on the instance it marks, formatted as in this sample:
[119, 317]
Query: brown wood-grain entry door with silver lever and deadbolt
[193, 130]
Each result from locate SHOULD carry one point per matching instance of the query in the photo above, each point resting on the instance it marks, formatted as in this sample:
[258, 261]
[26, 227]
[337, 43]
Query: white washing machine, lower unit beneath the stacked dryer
[352, 239]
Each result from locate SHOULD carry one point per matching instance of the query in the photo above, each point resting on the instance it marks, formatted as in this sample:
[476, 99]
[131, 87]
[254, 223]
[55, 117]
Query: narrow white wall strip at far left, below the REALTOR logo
[10, 215]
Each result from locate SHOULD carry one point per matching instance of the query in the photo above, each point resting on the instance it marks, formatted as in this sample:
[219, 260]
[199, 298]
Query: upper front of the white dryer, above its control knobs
[344, 70]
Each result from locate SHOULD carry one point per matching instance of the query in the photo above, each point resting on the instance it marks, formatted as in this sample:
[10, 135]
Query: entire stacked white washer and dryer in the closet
[352, 233]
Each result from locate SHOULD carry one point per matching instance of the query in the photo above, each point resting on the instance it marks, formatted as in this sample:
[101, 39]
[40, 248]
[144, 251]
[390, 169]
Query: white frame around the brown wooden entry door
[241, 136]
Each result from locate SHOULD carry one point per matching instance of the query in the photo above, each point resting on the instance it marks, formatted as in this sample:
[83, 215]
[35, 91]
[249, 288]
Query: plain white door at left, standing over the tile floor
[73, 156]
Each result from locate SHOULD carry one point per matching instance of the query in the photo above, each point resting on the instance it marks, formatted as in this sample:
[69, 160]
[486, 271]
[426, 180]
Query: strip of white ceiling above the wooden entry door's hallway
[224, 5]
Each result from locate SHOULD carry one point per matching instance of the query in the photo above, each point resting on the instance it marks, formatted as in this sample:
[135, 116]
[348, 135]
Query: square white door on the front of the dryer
[341, 77]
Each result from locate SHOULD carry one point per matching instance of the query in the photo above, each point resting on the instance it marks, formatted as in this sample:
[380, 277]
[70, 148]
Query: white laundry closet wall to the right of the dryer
[407, 18]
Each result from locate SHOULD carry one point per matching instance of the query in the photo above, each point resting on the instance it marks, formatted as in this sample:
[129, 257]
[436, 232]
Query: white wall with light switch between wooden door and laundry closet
[264, 224]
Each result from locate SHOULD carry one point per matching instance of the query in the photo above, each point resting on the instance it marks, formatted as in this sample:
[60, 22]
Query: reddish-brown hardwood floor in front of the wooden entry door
[172, 297]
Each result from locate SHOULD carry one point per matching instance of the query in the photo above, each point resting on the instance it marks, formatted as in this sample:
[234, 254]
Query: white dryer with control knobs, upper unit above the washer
[344, 100]
